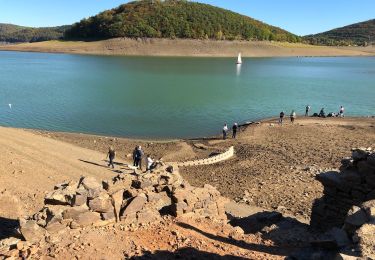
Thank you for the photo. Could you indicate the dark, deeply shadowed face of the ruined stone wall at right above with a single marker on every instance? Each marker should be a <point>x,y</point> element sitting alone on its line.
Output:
<point>354,184</point>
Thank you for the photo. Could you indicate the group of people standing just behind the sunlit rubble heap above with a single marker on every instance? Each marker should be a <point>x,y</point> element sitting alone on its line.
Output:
<point>138,156</point>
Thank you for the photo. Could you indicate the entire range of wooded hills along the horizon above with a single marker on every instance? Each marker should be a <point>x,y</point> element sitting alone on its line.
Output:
<point>180,19</point>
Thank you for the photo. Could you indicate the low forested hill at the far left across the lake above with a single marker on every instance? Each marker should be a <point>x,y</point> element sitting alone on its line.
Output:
<point>14,33</point>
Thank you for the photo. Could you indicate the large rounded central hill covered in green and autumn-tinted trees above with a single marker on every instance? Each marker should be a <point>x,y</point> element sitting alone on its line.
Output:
<point>175,19</point>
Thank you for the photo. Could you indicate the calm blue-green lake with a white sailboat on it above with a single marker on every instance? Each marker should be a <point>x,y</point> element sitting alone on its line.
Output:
<point>158,97</point>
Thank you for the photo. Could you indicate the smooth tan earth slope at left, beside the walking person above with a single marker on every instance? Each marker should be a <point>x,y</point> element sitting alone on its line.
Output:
<point>32,164</point>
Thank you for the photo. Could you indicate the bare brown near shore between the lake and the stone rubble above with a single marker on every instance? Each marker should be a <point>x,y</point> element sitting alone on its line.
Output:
<point>267,158</point>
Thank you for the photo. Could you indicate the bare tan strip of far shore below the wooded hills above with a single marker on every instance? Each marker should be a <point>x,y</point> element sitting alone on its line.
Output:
<point>188,48</point>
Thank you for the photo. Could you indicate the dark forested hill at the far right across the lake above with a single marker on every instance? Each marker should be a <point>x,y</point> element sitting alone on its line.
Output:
<point>356,34</point>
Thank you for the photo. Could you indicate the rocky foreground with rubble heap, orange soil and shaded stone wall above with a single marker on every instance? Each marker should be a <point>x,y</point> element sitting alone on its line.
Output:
<point>138,215</point>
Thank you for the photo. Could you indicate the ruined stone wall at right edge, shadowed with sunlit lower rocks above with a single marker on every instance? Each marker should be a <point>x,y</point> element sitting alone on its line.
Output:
<point>349,202</point>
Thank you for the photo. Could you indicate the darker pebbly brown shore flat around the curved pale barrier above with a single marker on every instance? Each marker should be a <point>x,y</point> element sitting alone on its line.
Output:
<point>275,166</point>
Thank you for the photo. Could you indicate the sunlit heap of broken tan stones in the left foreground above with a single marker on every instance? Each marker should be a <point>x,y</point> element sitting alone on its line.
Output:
<point>138,199</point>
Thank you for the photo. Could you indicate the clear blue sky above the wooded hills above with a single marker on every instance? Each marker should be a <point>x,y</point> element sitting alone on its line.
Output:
<point>297,16</point>
